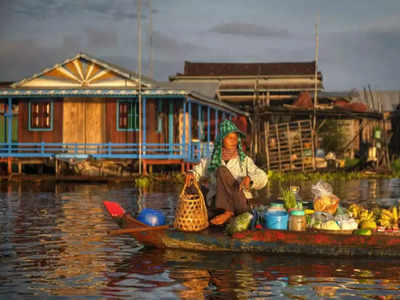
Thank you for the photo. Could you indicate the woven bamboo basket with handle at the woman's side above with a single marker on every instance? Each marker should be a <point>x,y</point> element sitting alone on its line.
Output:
<point>191,212</point>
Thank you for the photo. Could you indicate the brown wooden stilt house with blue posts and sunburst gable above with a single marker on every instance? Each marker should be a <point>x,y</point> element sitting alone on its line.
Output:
<point>86,107</point>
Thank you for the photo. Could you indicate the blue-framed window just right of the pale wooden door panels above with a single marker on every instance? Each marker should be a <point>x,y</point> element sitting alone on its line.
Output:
<point>128,115</point>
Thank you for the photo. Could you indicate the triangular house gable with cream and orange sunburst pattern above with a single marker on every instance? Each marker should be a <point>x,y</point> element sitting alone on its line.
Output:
<point>82,71</point>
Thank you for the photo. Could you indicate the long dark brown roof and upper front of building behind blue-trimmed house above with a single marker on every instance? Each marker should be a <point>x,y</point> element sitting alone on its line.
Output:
<point>249,84</point>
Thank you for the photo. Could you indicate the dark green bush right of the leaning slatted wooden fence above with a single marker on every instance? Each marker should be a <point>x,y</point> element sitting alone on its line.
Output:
<point>333,136</point>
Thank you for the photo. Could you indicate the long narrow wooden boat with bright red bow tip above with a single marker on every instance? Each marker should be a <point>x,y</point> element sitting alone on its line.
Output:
<point>257,241</point>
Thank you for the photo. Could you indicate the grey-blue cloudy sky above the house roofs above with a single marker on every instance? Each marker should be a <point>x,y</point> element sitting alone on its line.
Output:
<point>359,40</point>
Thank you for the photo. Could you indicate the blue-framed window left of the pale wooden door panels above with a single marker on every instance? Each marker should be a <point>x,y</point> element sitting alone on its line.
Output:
<point>41,115</point>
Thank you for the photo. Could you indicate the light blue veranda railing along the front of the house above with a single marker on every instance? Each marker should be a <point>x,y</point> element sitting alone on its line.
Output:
<point>190,152</point>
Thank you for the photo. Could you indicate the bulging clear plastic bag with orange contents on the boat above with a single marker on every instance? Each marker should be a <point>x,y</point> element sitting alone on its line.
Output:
<point>324,200</point>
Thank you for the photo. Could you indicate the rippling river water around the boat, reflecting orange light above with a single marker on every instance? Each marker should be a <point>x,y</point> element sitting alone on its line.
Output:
<point>54,245</point>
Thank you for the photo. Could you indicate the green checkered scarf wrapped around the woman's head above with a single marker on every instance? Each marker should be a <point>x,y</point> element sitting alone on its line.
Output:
<point>225,127</point>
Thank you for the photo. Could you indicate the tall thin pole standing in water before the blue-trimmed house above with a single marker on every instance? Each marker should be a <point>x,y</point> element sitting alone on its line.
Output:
<point>139,82</point>
